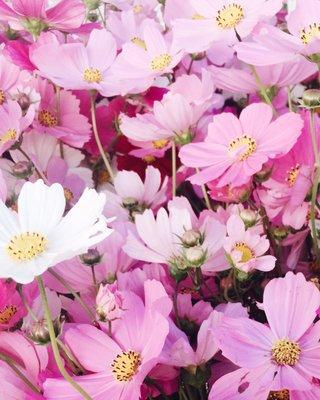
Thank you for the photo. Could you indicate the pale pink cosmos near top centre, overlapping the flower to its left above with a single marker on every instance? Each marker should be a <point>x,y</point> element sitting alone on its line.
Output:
<point>137,66</point>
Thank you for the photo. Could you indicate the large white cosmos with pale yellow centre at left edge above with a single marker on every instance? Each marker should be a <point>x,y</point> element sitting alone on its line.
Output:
<point>39,236</point>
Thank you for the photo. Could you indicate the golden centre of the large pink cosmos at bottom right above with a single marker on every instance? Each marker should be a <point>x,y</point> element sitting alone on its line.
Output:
<point>286,352</point>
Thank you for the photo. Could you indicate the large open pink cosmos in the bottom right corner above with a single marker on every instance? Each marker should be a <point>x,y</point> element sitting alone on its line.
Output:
<point>285,354</point>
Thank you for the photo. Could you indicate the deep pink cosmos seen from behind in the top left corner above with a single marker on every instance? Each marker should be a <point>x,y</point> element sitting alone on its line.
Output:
<point>34,16</point>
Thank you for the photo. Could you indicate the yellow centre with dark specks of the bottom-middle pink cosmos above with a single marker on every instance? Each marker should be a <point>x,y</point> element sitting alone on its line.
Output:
<point>125,365</point>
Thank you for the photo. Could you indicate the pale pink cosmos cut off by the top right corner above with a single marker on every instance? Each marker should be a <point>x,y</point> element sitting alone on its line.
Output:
<point>272,46</point>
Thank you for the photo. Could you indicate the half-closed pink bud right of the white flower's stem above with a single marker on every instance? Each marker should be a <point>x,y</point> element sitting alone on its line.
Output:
<point>109,303</point>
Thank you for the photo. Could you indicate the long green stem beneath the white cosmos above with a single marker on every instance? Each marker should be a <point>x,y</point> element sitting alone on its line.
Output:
<point>54,343</point>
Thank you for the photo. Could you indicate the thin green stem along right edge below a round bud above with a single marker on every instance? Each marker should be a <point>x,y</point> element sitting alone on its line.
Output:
<point>315,186</point>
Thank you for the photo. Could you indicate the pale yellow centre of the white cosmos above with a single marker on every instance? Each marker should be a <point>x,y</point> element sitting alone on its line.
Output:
<point>26,246</point>
